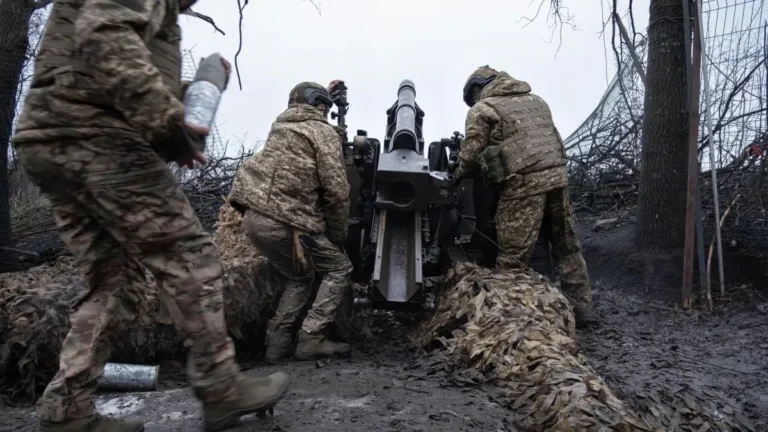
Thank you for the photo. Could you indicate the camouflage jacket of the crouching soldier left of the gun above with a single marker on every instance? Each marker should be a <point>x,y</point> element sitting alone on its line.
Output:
<point>299,177</point>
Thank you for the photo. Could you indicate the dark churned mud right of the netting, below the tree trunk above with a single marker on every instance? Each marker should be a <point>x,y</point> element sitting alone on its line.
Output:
<point>649,349</point>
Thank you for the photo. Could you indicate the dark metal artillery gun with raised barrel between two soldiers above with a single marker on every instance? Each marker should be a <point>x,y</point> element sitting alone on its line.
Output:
<point>408,218</point>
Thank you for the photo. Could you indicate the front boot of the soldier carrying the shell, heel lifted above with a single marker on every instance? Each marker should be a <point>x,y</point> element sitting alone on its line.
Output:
<point>253,395</point>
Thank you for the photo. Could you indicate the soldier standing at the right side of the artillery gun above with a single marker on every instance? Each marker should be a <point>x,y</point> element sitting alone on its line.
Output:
<point>511,139</point>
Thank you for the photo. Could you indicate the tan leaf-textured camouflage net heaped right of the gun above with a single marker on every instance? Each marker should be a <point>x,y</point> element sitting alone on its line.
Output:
<point>517,332</point>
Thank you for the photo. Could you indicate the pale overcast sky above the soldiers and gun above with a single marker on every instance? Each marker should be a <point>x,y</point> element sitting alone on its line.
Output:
<point>375,44</point>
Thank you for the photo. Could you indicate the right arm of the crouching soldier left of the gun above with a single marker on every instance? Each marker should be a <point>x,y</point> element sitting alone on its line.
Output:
<point>334,184</point>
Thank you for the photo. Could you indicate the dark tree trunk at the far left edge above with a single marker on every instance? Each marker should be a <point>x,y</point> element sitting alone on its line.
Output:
<point>15,16</point>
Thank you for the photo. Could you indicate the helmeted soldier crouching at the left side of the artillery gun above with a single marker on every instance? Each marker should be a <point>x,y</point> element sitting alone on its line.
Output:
<point>295,197</point>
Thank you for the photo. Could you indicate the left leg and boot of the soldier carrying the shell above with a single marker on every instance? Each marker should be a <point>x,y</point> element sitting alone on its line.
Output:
<point>115,284</point>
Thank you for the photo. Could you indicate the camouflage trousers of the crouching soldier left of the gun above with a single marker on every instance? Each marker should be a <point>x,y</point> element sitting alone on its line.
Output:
<point>276,241</point>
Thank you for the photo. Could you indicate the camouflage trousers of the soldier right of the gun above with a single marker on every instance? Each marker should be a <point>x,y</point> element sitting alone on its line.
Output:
<point>518,223</point>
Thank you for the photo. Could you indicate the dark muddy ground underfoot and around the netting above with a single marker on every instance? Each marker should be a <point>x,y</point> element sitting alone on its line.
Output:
<point>636,347</point>
